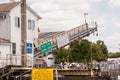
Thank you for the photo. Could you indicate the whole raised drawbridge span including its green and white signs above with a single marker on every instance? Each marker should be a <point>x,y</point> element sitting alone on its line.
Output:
<point>60,39</point>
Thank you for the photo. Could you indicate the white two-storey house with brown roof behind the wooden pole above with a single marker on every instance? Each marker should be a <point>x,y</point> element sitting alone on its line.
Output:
<point>10,33</point>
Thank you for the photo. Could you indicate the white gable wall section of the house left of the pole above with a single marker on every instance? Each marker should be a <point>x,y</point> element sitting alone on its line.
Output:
<point>15,31</point>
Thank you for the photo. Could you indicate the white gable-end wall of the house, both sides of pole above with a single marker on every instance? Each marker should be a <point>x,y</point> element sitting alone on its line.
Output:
<point>16,32</point>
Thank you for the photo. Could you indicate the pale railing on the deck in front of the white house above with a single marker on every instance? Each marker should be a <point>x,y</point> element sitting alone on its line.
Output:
<point>15,59</point>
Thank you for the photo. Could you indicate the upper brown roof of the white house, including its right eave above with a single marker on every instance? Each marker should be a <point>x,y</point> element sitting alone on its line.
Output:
<point>6,7</point>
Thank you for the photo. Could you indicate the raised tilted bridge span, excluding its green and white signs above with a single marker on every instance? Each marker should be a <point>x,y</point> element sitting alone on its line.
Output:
<point>72,35</point>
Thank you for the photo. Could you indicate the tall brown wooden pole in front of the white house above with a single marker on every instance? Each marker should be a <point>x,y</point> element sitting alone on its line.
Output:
<point>23,32</point>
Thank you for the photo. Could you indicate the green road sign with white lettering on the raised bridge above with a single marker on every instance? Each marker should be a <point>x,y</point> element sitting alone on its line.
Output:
<point>45,47</point>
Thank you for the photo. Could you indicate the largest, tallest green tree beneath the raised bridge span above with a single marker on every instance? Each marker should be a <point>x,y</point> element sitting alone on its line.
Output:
<point>80,51</point>
